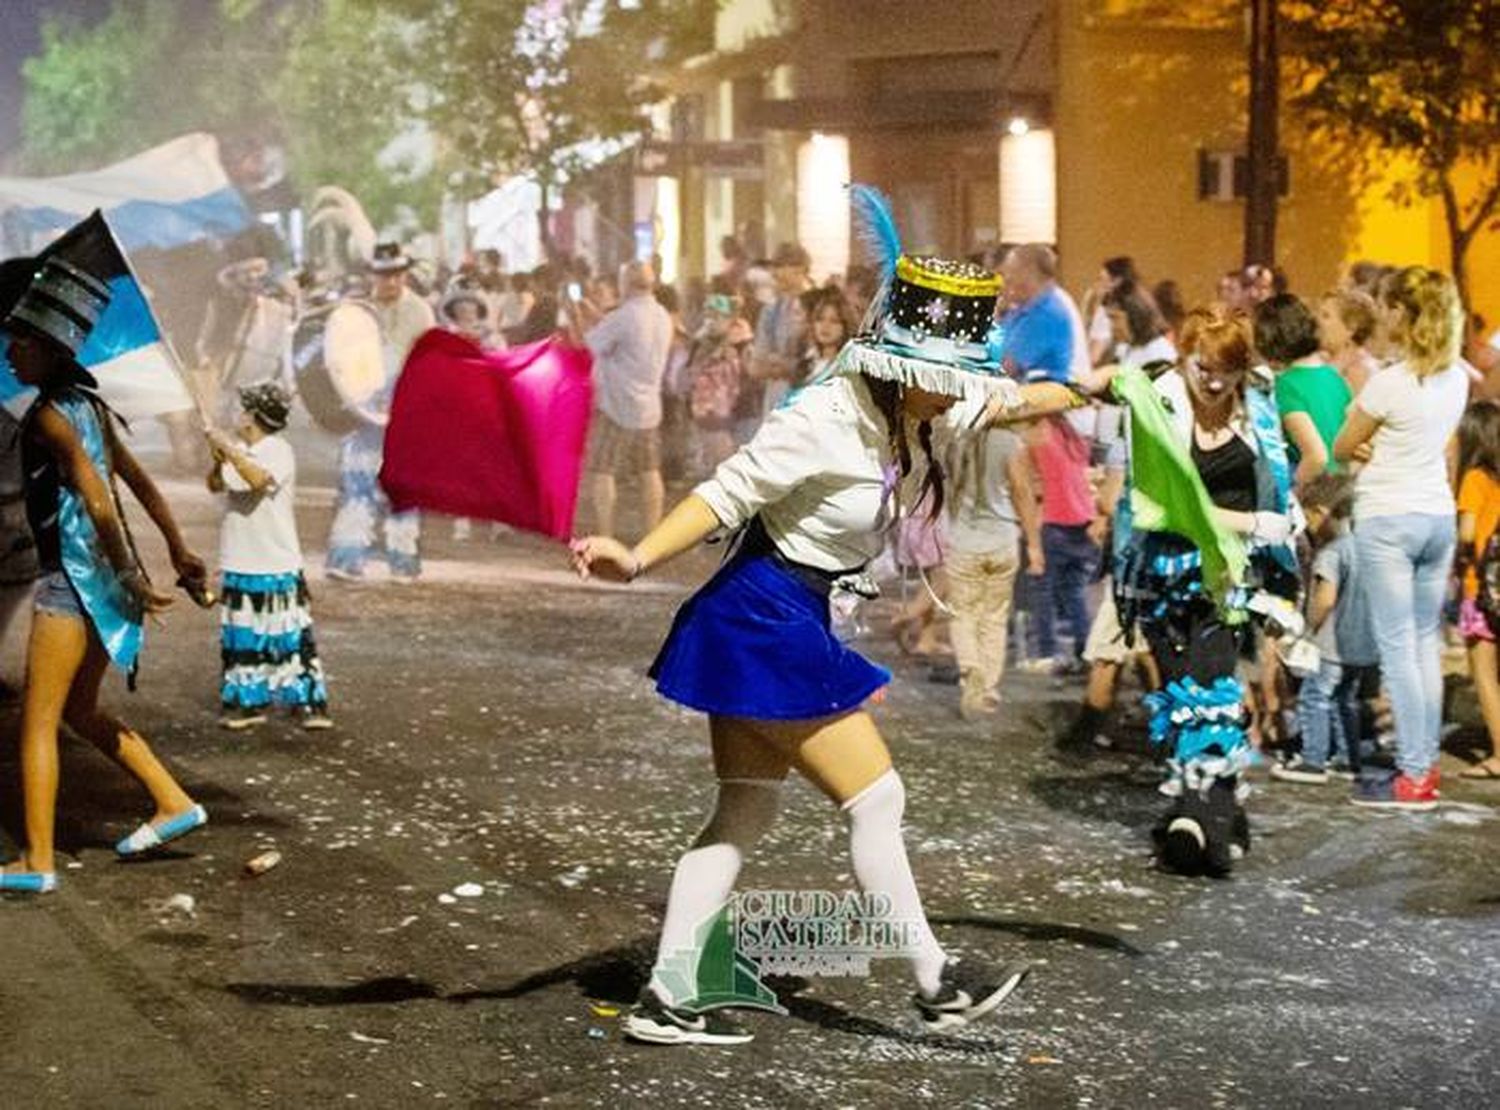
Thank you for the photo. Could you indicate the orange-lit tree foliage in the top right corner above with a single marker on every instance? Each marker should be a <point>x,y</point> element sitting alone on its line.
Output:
<point>1415,79</point>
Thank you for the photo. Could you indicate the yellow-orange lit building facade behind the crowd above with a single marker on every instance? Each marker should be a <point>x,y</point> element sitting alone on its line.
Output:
<point>1106,127</point>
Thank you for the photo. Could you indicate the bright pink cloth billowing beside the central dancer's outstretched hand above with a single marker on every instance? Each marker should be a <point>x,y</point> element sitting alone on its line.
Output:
<point>494,436</point>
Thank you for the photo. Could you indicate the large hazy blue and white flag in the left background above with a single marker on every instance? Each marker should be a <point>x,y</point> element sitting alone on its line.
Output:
<point>164,197</point>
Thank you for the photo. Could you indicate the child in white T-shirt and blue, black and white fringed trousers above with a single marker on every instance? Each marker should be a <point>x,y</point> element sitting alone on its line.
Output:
<point>271,658</point>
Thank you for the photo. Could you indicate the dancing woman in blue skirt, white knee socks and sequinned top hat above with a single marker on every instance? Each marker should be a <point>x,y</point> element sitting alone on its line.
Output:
<point>812,494</point>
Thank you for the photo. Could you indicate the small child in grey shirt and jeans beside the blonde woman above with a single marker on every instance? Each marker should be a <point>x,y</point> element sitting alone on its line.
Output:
<point>1339,626</point>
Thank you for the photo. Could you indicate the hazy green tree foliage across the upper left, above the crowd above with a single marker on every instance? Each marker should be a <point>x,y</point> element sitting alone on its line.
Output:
<point>496,88</point>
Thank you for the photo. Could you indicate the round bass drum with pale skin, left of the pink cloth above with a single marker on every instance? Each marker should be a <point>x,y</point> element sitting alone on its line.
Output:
<point>340,364</point>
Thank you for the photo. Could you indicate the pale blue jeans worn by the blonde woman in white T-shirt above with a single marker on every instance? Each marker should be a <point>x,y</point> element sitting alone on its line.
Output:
<point>1405,565</point>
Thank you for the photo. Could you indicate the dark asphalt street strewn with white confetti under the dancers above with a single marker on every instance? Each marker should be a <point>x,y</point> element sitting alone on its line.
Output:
<point>496,733</point>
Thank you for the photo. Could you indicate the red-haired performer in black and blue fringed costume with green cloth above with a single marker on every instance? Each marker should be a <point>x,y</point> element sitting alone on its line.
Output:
<point>1213,514</point>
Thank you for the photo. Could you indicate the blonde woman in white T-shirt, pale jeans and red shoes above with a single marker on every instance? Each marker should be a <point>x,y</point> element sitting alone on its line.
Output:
<point>1405,517</point>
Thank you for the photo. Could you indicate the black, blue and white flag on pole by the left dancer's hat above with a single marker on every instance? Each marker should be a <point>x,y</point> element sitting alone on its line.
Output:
<point>137,371</point>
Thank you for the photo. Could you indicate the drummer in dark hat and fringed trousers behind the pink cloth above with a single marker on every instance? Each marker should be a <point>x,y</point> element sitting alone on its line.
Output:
<point>362,503</point>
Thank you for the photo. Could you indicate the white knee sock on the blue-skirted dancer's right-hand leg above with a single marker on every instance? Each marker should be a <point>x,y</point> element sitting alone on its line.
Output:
<point>881,866</point>
